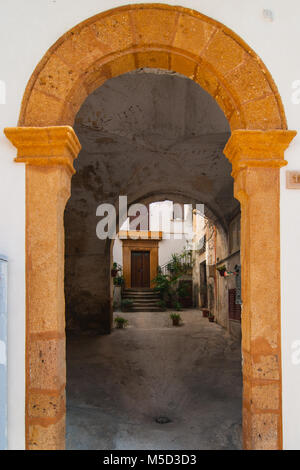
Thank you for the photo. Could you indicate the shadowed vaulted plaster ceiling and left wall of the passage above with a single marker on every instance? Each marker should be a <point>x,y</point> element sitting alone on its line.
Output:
<point>144,134</point>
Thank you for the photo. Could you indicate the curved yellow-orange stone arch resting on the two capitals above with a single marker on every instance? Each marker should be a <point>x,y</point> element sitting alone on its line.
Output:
<point>152,35</point>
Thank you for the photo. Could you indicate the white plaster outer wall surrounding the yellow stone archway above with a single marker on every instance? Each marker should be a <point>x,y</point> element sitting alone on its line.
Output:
<point>27,29</point>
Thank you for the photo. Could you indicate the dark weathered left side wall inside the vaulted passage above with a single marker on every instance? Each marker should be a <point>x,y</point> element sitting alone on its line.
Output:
<point>87,258</point>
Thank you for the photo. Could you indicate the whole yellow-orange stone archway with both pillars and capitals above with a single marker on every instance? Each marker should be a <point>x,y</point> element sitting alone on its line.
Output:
<point>109,44</point>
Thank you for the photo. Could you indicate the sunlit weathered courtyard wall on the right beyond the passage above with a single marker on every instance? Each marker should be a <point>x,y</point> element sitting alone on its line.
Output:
<point>217,272</point>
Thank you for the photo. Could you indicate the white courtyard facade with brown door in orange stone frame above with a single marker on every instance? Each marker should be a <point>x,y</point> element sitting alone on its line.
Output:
<point>166,230</point>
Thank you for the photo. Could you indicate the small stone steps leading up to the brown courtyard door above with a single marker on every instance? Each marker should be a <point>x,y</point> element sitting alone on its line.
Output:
<point>144,300</point>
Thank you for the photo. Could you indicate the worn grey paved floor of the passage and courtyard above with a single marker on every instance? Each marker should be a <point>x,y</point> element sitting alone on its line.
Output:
<point>118,384</point>
